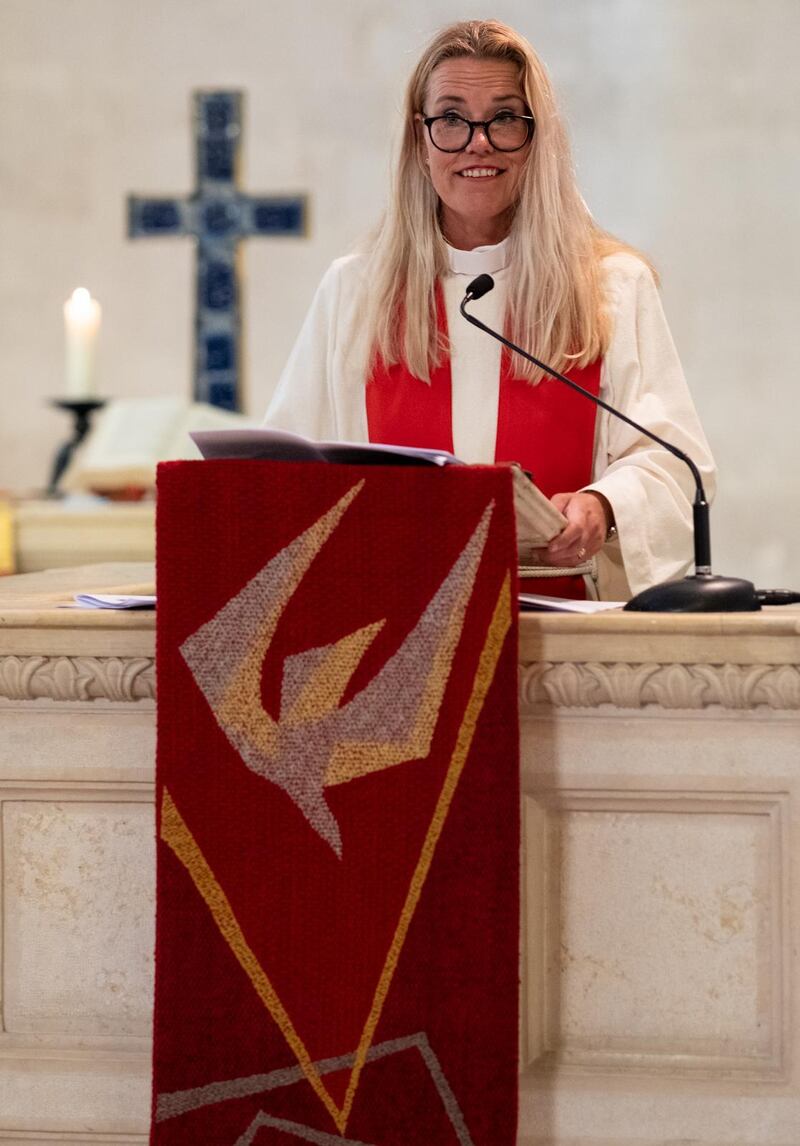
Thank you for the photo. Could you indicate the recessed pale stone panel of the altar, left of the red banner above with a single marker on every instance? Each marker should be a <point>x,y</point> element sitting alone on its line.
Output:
<point>79,917</point>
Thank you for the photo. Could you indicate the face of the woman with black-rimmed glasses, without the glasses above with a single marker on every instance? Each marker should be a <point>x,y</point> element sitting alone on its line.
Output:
<point>479,187</point>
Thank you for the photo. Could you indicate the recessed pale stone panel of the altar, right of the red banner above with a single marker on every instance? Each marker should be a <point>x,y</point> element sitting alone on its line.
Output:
<point>663,941</point>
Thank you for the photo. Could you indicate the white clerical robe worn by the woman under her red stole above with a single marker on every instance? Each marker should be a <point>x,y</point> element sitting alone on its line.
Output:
<point>321,395</point>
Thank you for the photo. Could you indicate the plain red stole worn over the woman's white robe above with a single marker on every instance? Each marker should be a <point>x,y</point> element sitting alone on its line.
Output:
<point>548,429</point>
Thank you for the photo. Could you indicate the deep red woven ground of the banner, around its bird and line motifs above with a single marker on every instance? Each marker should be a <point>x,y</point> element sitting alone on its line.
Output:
<point>319,925</point>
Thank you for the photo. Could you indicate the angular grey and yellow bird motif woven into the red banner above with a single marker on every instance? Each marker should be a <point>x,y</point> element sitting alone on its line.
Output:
<point>318,741</point>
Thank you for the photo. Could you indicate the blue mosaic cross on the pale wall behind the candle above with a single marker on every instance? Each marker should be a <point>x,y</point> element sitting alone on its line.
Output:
<point>218,216</point>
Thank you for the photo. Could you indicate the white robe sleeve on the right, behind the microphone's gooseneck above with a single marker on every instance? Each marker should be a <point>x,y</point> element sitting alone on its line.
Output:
<point>652,491</point>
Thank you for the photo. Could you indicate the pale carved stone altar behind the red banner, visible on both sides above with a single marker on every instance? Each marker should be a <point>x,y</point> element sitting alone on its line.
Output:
<point>662,876</point>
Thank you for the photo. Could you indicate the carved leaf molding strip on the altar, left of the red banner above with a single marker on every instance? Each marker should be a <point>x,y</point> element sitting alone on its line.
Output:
<point>77,678</point>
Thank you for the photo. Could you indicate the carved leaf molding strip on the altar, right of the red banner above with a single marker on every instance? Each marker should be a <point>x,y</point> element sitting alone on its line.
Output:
<point>624,686</point>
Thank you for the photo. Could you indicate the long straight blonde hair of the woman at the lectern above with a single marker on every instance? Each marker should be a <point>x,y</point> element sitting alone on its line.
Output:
<point>555,302</point>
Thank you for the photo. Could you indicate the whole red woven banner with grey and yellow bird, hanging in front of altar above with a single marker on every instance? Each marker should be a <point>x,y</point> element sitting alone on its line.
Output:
<point>339,806</point>
